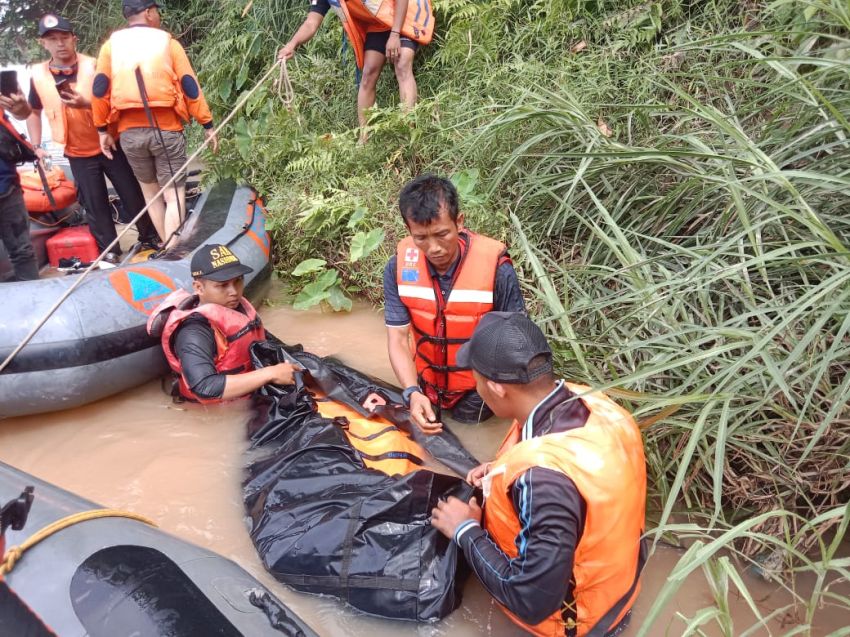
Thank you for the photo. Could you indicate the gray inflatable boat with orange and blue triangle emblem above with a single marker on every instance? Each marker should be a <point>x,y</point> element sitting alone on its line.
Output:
<point>95,345</point>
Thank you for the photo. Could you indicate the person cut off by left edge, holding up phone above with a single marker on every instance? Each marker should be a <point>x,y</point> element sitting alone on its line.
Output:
<point>14,150</point>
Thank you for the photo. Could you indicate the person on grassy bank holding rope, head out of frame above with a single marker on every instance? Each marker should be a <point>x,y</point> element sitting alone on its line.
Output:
<point>391,32</point>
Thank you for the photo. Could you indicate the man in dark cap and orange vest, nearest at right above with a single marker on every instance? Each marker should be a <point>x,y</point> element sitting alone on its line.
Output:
<point>559,547</point>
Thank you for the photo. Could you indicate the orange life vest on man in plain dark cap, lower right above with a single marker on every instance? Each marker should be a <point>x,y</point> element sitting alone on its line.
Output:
<point>605,460</point>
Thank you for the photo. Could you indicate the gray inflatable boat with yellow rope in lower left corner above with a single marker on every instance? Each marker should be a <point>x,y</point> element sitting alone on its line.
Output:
<point>115,576</point>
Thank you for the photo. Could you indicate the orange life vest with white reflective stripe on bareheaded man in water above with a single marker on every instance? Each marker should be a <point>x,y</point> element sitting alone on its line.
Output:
<point>441,326</point>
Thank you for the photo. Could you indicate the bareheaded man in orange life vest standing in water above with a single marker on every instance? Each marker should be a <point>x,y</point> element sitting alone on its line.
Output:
<point>440,283</point>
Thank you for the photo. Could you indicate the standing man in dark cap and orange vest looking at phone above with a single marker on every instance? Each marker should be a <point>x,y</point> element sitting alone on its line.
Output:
<point>62,87</point>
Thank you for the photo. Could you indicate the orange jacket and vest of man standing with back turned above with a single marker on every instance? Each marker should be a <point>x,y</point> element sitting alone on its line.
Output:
<point>165,71</point>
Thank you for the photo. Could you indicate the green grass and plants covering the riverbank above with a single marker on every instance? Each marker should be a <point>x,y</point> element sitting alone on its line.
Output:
<point>673,178</point>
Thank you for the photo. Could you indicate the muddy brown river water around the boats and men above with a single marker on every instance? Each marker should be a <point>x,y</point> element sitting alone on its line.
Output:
<point>182,467</point>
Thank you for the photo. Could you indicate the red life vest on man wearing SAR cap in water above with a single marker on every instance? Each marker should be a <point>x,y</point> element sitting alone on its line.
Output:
<point>234,332</point>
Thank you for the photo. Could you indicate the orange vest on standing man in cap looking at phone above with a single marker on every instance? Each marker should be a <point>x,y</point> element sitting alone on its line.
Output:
<point>70,127</point>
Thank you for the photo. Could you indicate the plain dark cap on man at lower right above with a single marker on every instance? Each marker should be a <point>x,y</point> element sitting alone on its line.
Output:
<point>503,347</point>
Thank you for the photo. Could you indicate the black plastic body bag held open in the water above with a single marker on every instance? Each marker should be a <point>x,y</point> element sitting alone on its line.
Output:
<point>323,522</point>
